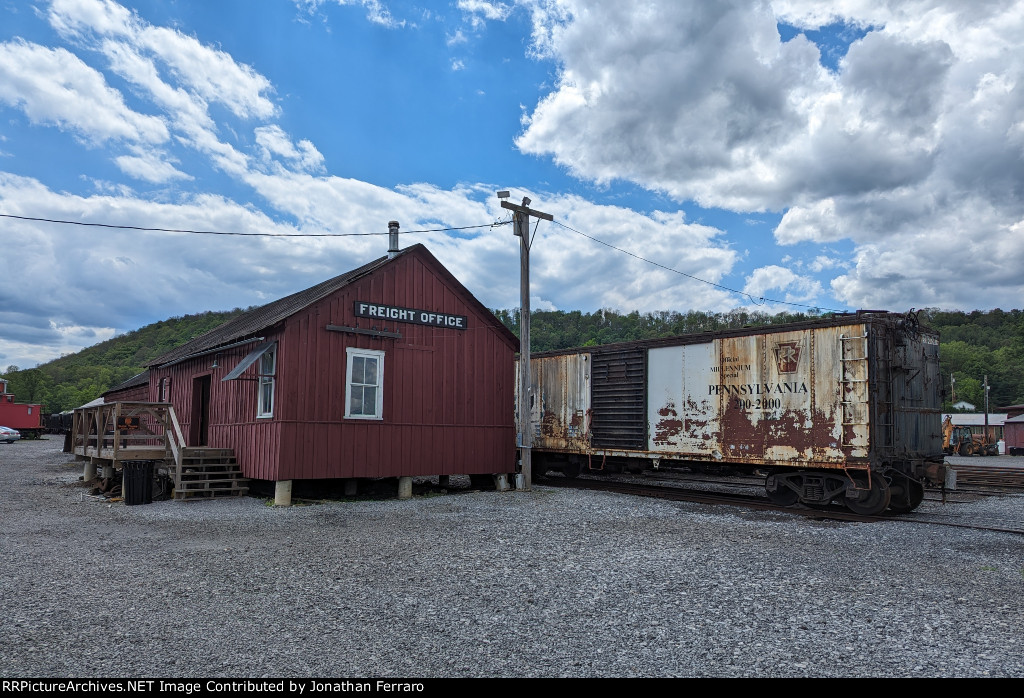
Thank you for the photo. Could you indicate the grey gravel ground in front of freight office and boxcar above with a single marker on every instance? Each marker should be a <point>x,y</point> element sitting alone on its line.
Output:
<point>546,584</point>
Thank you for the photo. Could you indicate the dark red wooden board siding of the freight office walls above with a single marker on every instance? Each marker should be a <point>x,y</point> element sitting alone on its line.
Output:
<point>448,395</point>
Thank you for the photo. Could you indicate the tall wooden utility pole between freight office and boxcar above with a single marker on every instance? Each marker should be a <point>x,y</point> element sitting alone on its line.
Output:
<point>521,219</point>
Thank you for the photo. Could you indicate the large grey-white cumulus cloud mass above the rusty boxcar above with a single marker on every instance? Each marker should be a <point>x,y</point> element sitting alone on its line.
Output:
<point>912,144</point>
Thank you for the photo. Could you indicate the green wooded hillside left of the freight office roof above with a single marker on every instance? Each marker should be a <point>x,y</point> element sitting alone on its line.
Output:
<point>76,379</point>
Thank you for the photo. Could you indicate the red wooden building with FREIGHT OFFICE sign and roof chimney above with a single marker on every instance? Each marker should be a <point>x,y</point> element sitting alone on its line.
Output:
<point>393,370</point>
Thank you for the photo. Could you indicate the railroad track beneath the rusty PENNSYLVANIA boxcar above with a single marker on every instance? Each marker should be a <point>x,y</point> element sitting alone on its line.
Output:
<point>675,493</point>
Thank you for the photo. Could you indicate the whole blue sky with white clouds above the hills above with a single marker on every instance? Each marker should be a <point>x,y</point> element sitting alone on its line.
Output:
<point>794,155</point>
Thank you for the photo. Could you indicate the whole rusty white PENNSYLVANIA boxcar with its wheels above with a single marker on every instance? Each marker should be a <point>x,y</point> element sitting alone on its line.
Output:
<point>844,409</point>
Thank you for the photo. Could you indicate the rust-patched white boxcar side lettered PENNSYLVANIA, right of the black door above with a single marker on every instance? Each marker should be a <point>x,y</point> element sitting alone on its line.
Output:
<point>762,399</point>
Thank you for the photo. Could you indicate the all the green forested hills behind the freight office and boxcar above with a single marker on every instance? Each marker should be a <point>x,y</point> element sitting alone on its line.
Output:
<point>973,345</point>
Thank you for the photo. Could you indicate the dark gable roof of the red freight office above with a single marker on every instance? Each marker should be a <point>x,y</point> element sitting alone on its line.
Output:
<point>250,324</point>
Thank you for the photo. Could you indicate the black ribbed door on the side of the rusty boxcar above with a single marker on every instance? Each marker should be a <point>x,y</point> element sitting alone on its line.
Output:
<point>619,390</point>
